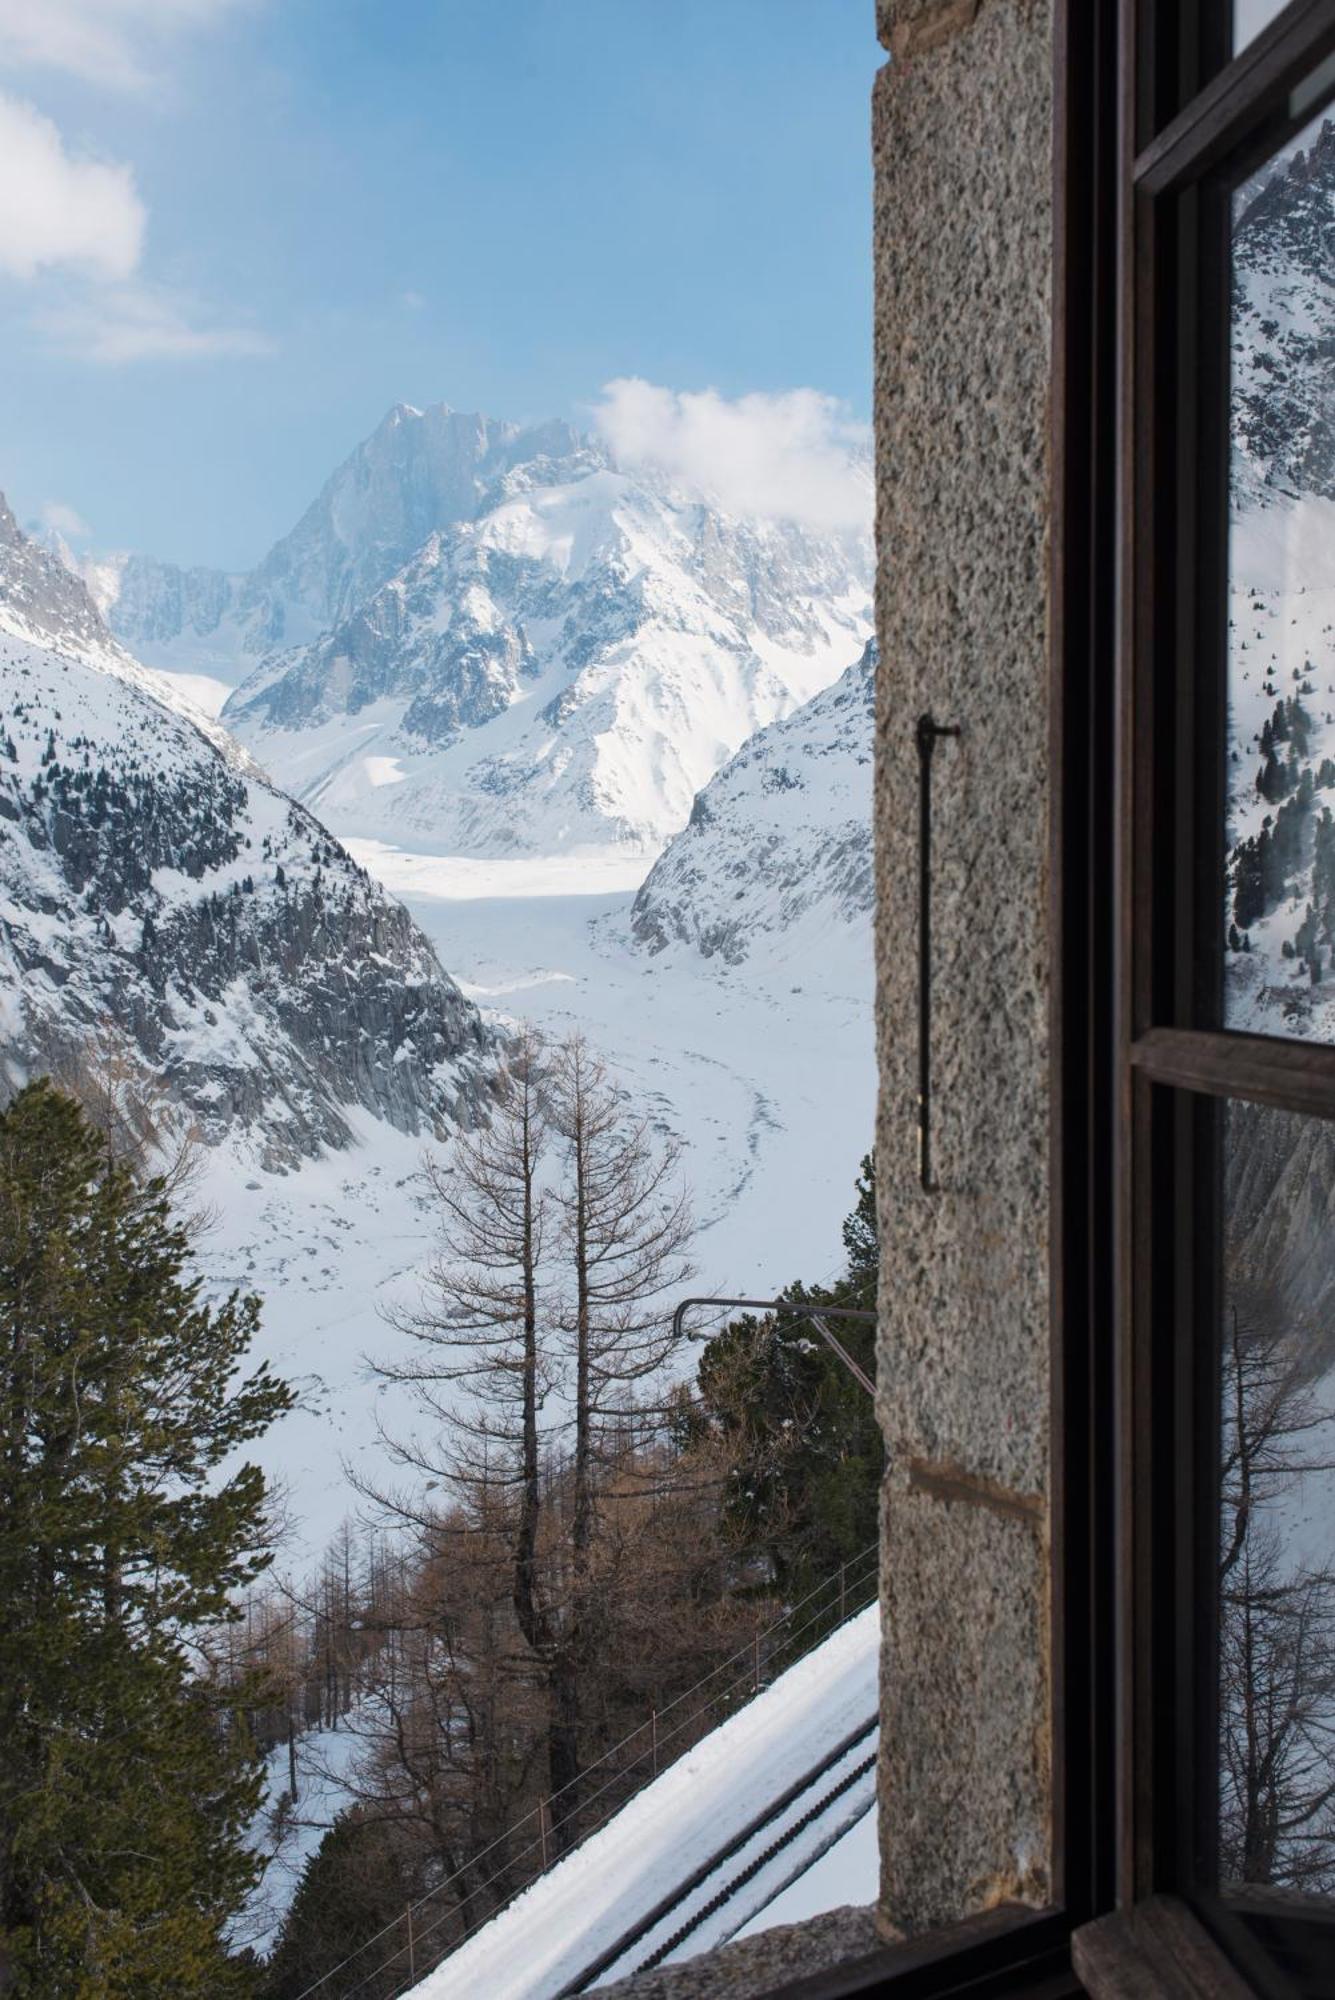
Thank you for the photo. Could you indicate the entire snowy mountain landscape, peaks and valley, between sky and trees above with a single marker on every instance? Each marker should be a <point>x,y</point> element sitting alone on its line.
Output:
<point>589,759</point>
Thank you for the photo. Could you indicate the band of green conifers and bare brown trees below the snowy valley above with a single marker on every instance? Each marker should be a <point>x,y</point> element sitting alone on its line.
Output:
<point>577,1565</point>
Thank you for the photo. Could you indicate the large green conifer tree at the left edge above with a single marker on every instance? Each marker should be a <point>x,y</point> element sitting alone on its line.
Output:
<point>125,1783</point>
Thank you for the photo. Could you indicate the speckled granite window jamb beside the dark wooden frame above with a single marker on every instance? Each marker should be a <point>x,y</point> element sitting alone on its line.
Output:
<point>962,135</point>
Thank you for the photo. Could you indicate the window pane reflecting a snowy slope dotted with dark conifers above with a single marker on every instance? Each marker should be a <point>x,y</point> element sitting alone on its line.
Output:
<point>1280,913</point>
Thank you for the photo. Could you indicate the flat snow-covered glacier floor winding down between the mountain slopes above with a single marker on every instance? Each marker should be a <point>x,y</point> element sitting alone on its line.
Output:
<point>768,1081</point>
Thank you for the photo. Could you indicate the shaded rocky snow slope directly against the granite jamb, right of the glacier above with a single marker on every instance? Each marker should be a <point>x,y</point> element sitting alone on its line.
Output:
<point>778,847</point>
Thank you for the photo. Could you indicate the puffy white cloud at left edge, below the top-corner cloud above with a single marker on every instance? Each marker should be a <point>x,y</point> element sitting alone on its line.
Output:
<point>63,211</point>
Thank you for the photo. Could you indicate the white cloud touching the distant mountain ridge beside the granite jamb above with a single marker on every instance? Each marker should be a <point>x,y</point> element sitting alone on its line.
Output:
<point>790,457</point>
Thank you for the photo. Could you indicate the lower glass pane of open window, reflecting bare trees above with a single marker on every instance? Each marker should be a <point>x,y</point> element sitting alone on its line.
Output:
<point>1276,1557</point>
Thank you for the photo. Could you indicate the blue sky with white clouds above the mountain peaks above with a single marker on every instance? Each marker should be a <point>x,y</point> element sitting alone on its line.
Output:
<point>243,229</point>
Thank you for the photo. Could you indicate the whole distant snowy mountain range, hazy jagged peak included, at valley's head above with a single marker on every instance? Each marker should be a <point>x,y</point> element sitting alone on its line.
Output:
<point>491,641</point>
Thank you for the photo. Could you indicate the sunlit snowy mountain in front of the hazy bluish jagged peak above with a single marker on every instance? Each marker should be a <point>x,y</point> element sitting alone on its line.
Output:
<point>561,675</point>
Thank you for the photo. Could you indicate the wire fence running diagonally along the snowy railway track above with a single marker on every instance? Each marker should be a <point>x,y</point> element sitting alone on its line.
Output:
<point>413,1945</point>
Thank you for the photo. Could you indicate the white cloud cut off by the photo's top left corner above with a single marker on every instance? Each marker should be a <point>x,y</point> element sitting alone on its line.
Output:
<point>101,41</point>
